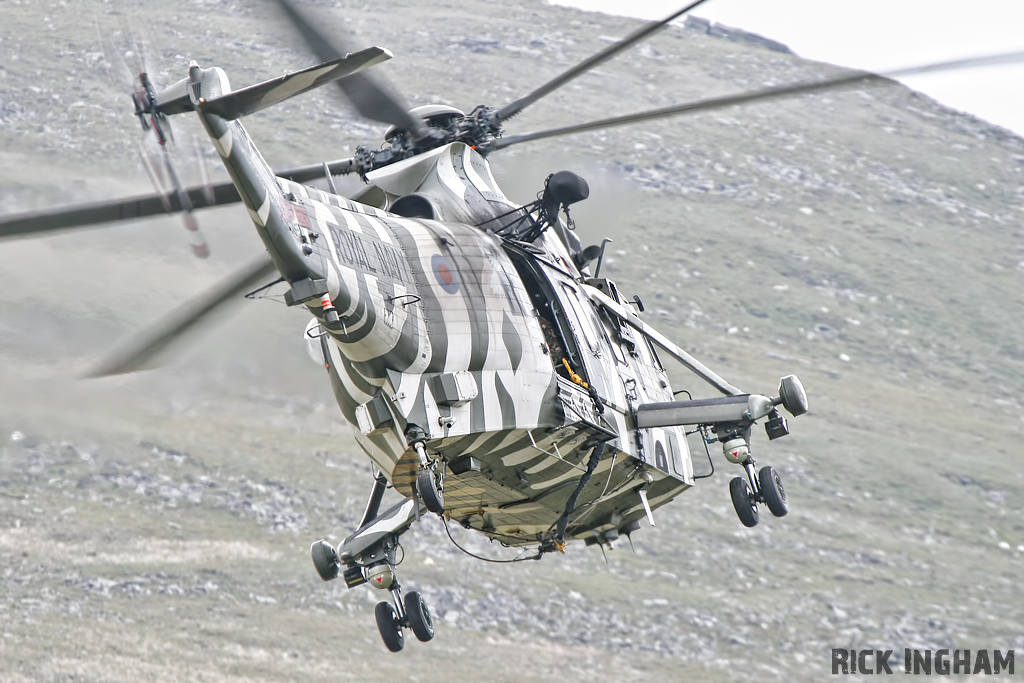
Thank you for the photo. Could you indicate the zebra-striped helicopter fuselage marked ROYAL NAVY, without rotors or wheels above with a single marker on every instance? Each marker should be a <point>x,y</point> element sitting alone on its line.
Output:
<point>483,345</point>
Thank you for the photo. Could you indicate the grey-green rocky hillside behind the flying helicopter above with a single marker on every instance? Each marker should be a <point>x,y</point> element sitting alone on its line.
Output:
<point>158,526</point>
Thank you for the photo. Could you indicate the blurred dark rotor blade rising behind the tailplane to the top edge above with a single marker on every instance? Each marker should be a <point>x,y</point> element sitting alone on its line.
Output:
<point>369,97</point>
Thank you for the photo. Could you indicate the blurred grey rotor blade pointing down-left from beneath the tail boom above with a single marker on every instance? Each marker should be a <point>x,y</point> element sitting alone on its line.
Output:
<point>141,352</point>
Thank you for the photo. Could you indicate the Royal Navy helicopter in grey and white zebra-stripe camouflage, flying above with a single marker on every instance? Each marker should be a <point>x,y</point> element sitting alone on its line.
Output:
<point>489,371</point>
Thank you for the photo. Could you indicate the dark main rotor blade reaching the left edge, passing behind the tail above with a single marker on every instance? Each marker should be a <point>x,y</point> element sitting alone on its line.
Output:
<point>200,197</point>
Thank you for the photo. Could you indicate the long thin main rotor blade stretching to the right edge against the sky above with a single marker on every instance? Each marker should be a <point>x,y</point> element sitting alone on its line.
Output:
<point>850,78</point>
